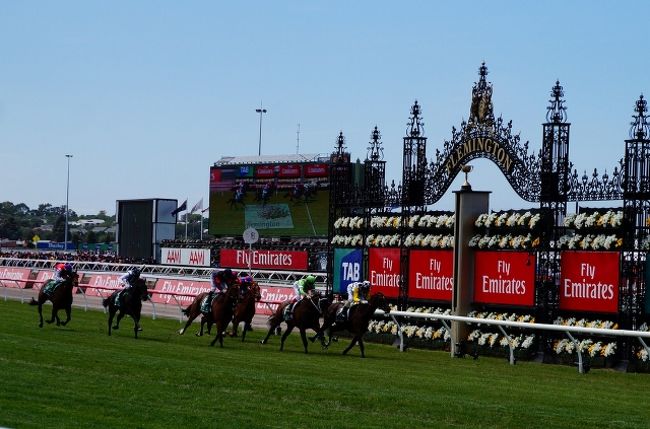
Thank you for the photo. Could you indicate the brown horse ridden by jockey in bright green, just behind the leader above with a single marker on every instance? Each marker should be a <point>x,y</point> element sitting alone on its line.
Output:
<point>306,315</point>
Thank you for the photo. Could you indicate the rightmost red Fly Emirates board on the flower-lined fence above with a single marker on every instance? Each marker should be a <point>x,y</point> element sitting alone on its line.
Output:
<point>589,281</point>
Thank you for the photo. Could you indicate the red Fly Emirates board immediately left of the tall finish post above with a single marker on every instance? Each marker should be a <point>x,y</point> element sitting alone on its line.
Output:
<point>431,274</point>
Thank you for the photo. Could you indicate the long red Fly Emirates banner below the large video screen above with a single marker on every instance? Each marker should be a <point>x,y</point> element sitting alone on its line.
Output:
<point>264,259</point>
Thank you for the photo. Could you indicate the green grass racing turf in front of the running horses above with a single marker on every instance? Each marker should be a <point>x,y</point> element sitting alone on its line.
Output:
<point>77,376</point>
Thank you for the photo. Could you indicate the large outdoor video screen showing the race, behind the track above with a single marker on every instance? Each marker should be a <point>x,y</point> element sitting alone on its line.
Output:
<point>276,199</point>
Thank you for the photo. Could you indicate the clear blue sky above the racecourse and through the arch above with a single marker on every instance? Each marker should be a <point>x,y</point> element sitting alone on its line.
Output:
<point>146,95</point>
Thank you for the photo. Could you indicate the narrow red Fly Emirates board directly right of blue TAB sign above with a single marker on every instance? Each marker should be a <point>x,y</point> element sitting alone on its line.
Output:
<point>384,271</point>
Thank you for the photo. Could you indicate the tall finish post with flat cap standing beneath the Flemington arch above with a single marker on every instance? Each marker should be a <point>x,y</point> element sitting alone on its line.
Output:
<point>469,205</point>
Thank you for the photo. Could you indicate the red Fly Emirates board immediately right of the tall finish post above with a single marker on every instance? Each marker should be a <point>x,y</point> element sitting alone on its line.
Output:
<point>504,278</point>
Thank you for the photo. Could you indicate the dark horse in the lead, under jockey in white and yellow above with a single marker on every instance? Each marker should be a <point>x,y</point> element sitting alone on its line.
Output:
<point>356,323</point>
